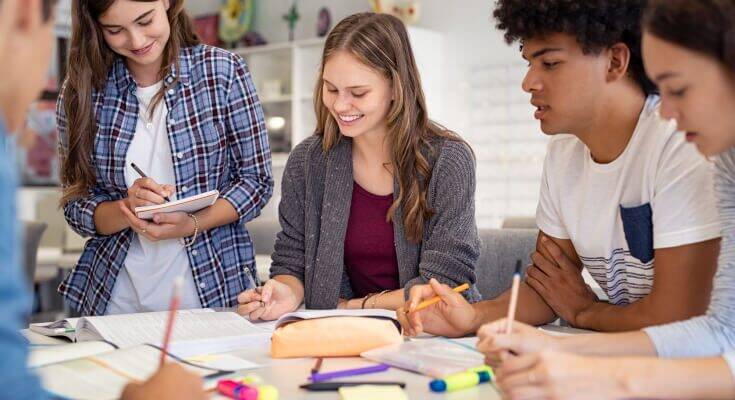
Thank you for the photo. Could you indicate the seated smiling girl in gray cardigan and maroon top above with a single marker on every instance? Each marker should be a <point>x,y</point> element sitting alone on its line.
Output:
<point>380,198</point>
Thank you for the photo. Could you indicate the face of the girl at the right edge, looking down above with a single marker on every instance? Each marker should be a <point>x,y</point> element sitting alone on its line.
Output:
<point>696,90</point>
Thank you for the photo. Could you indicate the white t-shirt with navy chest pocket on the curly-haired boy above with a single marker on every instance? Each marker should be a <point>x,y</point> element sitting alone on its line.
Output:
<point>656,194</point>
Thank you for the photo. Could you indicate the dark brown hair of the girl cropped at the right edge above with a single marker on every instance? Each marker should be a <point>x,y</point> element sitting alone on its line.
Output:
<point>703,26</point>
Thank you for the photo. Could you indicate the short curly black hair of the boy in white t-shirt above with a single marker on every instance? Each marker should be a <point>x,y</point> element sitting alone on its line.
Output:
<point>596,24</point>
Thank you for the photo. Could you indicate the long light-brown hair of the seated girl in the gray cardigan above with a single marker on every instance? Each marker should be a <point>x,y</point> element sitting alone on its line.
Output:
<point>380,41</point>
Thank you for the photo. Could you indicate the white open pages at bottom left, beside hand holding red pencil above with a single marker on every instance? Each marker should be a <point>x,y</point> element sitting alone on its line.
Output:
<point>104,376</point>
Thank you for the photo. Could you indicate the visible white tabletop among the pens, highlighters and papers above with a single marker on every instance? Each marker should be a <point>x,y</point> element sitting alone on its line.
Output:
<point>288,374</point>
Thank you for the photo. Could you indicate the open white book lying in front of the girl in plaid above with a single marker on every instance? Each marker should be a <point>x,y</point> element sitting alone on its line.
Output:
<point>200,331</point>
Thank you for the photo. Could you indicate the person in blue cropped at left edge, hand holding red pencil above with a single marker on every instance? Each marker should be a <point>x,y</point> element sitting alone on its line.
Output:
<point>26,38</point>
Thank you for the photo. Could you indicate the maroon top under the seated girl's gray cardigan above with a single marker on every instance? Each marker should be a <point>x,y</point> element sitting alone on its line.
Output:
<point>370,251</point>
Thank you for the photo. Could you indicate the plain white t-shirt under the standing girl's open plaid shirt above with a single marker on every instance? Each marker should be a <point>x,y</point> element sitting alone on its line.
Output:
<point>146,281</point>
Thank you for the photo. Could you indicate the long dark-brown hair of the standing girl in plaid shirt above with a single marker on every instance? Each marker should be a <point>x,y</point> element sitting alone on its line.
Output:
<point>90,60</point>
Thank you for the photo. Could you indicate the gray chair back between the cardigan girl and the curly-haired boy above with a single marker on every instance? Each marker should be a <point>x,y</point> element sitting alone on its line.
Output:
<point>501,248</point>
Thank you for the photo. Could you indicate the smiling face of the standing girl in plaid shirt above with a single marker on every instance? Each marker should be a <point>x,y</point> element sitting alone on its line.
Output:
<point>137,30</point>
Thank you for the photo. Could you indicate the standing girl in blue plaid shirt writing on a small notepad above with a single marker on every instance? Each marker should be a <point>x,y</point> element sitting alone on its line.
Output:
<point>141,89</point>
